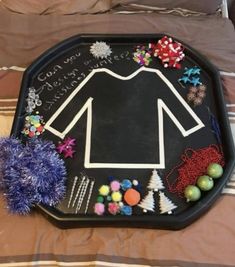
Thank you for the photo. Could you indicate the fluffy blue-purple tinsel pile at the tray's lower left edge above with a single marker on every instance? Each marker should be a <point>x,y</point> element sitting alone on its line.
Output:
<point>31,174</point>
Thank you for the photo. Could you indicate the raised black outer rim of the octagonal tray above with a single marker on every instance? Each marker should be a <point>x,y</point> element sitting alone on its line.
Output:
<point>173,222</point>
